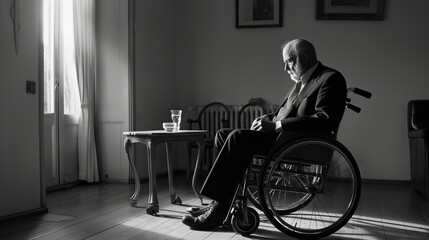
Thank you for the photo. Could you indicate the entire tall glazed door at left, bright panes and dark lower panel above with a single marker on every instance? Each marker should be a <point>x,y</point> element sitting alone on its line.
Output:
<point>61,94</point>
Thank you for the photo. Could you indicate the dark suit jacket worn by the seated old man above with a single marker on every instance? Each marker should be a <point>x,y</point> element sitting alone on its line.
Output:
<point>320,105</point>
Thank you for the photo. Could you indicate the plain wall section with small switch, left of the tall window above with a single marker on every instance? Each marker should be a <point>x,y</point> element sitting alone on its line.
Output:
<point>20,181</point>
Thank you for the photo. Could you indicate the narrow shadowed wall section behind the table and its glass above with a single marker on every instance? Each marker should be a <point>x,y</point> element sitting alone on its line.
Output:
<point>154,87</point>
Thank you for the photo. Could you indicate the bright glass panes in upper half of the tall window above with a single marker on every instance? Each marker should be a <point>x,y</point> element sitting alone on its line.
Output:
<point>59,58</point>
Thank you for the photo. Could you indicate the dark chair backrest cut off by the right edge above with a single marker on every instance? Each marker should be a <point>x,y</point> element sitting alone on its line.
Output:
<point>418,114</point>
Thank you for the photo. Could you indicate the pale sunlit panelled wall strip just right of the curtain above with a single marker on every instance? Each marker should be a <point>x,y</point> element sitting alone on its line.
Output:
<point>113,112</point>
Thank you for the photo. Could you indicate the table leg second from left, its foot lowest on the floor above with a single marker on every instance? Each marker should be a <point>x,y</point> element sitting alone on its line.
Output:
<point>153,204</point>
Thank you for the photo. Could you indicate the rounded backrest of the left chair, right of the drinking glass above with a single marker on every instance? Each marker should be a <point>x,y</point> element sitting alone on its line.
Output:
<point>213,117</point>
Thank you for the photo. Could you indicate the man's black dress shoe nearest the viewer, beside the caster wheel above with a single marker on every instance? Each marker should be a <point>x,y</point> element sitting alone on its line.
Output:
<point>210,220</point>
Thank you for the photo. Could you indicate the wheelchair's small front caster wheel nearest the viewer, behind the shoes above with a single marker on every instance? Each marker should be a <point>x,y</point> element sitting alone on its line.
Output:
<point>242,227</point>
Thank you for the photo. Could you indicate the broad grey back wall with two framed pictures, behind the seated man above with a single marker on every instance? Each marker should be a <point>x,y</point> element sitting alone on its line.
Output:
<point>216,61</point>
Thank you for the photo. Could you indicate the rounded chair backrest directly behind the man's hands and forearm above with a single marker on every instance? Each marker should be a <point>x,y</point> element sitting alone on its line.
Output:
<point>249,112</point>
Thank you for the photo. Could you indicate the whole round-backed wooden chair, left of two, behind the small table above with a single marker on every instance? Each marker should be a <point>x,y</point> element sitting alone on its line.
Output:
<point>211,117</point>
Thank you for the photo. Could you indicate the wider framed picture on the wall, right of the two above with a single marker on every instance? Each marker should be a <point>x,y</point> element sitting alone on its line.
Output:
<point>350,10</point>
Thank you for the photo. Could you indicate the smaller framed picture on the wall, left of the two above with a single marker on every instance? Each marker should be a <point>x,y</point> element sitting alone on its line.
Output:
<point>258,13</point>
